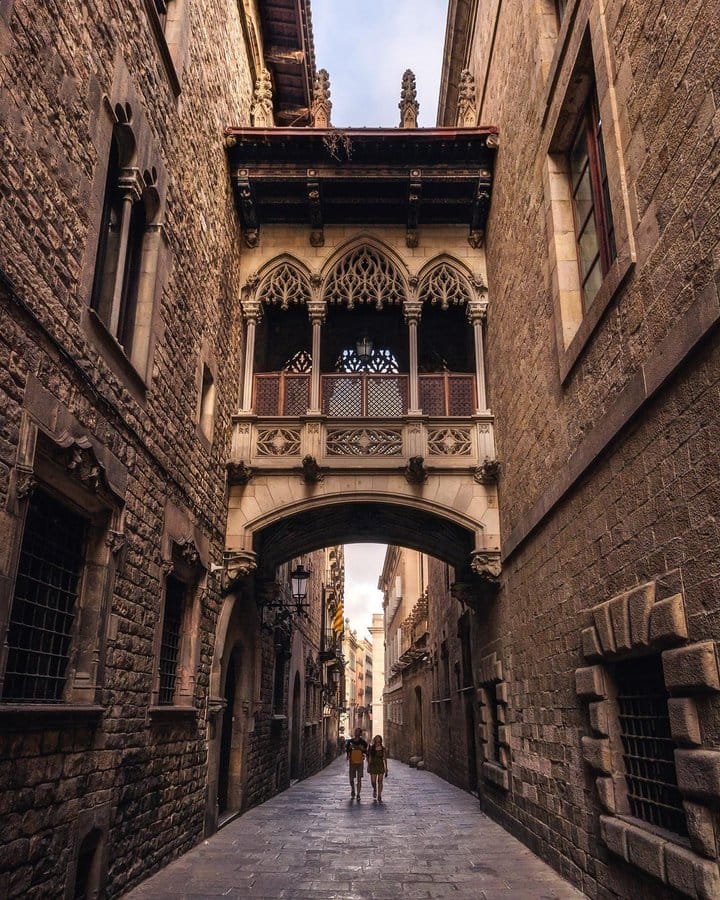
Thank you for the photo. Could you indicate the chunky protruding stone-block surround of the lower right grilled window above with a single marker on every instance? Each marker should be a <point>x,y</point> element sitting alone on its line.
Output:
<point>628,625</point>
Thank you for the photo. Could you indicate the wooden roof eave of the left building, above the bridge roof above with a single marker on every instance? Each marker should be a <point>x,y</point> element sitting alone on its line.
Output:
<point>290,56</point>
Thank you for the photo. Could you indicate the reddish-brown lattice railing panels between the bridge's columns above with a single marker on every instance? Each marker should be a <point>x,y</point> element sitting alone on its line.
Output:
<point>365,396</point>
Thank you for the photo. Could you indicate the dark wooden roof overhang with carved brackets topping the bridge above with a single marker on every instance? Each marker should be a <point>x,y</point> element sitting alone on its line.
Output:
<point>364,176</point>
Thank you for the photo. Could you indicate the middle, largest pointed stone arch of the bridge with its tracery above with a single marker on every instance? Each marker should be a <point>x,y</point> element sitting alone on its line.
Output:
<point>364,270</point>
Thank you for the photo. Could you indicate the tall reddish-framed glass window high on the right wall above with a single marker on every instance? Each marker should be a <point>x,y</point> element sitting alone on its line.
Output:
<point>594,231</point>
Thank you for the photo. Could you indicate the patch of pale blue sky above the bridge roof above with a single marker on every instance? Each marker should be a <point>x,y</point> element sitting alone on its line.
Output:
<point>366,45</point>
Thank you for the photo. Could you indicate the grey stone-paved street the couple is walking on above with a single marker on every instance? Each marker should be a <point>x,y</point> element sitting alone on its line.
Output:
<point>426,839</point>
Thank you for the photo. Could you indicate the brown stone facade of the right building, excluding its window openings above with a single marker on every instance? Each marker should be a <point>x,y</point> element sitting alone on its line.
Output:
<point>606,431</point>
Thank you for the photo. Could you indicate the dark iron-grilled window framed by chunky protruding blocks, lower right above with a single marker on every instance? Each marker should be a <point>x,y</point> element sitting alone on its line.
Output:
<point>648,748</point>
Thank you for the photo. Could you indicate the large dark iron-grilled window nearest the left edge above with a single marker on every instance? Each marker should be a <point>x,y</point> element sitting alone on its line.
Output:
<point>44,603</point>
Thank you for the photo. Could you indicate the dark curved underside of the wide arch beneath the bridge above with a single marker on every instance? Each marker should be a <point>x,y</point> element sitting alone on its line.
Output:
<point>363,522</point>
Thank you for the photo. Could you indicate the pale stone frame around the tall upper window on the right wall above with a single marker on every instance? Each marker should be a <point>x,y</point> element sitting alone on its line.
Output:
<point>581,67</point>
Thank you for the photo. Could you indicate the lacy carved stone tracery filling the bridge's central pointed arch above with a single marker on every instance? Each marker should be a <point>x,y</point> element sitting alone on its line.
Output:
<point>364,276</point>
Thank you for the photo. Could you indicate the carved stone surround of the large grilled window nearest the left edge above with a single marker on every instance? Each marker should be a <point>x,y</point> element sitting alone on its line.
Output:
<point>73,470</point>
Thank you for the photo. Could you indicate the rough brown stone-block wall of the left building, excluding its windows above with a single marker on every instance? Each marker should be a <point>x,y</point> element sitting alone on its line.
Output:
<point>139,779</point>
